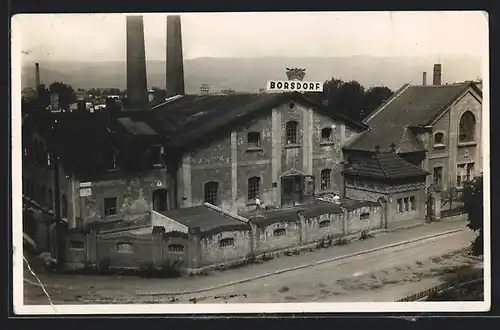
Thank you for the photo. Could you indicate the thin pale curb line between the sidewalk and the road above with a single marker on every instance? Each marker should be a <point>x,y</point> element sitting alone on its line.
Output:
<point>281,271</point>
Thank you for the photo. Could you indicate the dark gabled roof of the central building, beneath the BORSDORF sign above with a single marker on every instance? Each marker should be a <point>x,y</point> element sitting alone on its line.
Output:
<point>192,118</point>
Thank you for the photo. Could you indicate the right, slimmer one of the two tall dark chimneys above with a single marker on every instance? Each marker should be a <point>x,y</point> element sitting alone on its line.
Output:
<point>175,60</point>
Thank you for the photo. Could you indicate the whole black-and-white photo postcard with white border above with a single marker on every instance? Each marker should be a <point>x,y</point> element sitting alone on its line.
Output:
<point>250,162</point>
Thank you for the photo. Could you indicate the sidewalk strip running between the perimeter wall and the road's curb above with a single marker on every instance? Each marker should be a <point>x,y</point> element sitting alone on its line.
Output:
<point>124,284</point>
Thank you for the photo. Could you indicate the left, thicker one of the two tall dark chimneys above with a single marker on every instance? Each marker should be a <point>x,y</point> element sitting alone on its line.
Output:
<point>137,85</point>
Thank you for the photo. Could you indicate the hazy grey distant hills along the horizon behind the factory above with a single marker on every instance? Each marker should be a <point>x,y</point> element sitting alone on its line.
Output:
<point>250,74</point>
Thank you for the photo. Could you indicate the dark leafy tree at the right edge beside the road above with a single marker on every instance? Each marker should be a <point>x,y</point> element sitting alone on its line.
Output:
<point>473,204</point>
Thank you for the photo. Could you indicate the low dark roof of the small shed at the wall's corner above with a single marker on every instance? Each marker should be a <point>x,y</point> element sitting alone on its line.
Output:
<point>207,219</point>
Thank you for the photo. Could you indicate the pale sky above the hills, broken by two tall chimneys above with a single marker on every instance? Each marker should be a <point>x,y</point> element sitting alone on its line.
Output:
<point>101,37</point>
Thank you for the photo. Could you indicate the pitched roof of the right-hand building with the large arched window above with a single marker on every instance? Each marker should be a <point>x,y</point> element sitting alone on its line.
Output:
<point>410,106</point>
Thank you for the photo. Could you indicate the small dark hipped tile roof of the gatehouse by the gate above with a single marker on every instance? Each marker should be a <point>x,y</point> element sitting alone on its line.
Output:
<point>385,166</point>
